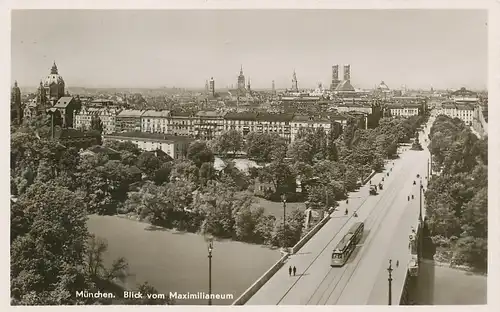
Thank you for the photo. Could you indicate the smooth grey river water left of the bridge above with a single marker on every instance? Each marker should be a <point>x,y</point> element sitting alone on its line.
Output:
<point>178,262</point>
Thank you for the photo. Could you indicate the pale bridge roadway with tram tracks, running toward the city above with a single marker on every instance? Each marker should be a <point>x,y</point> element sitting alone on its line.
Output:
<point>390,222</point>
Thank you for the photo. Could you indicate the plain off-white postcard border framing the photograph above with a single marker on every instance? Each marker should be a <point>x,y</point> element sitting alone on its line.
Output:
<point>494,96</point>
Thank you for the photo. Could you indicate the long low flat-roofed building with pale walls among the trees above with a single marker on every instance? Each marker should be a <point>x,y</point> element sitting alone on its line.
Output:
<point>174,146</point>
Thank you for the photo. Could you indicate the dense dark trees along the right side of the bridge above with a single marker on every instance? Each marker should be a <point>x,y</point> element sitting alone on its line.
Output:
<point>457,196</point>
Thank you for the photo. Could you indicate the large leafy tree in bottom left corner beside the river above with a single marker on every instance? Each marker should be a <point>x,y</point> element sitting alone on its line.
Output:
<point>48,246</point>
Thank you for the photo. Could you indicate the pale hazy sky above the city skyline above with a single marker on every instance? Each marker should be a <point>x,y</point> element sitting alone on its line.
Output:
<point>184,48</point>
